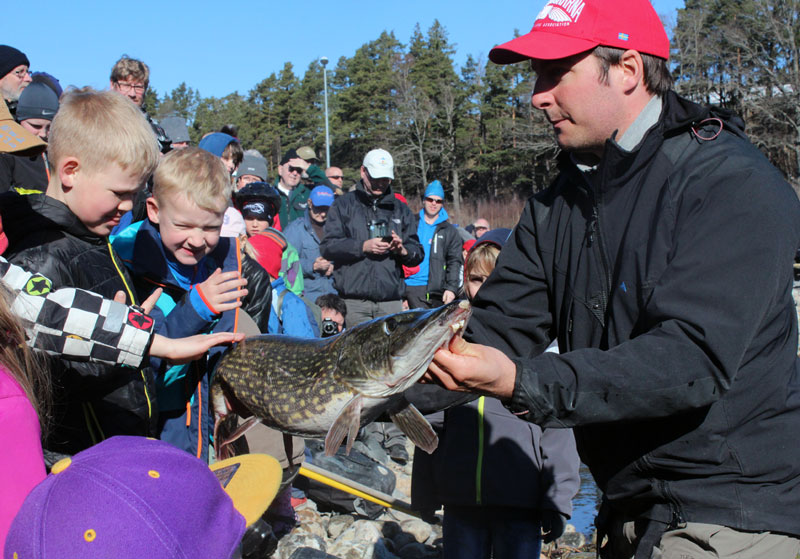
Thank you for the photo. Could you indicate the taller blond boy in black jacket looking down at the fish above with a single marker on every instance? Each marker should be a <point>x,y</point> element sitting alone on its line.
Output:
<point>101,151</point>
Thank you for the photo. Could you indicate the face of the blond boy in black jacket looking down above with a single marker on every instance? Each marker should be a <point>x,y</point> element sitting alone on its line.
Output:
<point>98,198</point>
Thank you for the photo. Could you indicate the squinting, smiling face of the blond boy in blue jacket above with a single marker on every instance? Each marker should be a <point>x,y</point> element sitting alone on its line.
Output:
<point>188,232</point>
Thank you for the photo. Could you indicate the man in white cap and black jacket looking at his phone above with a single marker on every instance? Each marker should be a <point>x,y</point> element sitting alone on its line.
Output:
<point>369,236</point>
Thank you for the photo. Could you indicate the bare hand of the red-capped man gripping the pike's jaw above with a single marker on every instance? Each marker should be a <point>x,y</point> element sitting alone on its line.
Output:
<point>467,367</point>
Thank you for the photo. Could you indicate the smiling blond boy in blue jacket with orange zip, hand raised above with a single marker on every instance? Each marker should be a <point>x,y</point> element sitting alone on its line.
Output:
<point>179,249</point>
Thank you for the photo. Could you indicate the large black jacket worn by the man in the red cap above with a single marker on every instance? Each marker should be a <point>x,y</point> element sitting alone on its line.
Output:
<point>668,284</point>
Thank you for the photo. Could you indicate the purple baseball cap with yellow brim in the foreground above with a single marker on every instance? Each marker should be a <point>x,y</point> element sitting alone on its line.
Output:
<point>132,497</point>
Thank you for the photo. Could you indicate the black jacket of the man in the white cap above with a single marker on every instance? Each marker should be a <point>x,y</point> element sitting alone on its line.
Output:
<point>367,276</point>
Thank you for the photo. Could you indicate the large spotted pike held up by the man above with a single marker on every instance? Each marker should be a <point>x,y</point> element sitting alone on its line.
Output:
<point>330,387</point>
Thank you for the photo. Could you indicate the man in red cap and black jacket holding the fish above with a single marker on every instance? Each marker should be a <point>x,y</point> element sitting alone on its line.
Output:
<point>661,260</point>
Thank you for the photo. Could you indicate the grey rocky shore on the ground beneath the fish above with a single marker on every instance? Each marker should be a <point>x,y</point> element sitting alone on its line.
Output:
<point>393,535</point>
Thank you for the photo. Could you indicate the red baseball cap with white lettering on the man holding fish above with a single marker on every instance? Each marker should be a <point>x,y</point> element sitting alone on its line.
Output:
<point>567,27</point>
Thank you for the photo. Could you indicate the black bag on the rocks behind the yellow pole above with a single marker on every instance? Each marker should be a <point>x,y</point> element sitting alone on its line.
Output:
<point>356,467</point>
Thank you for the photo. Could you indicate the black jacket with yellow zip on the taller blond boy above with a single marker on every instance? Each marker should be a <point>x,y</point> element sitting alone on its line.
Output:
<point>92,401</point>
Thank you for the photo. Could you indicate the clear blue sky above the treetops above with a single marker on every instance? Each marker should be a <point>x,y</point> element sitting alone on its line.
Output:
<point>222,47</point>
